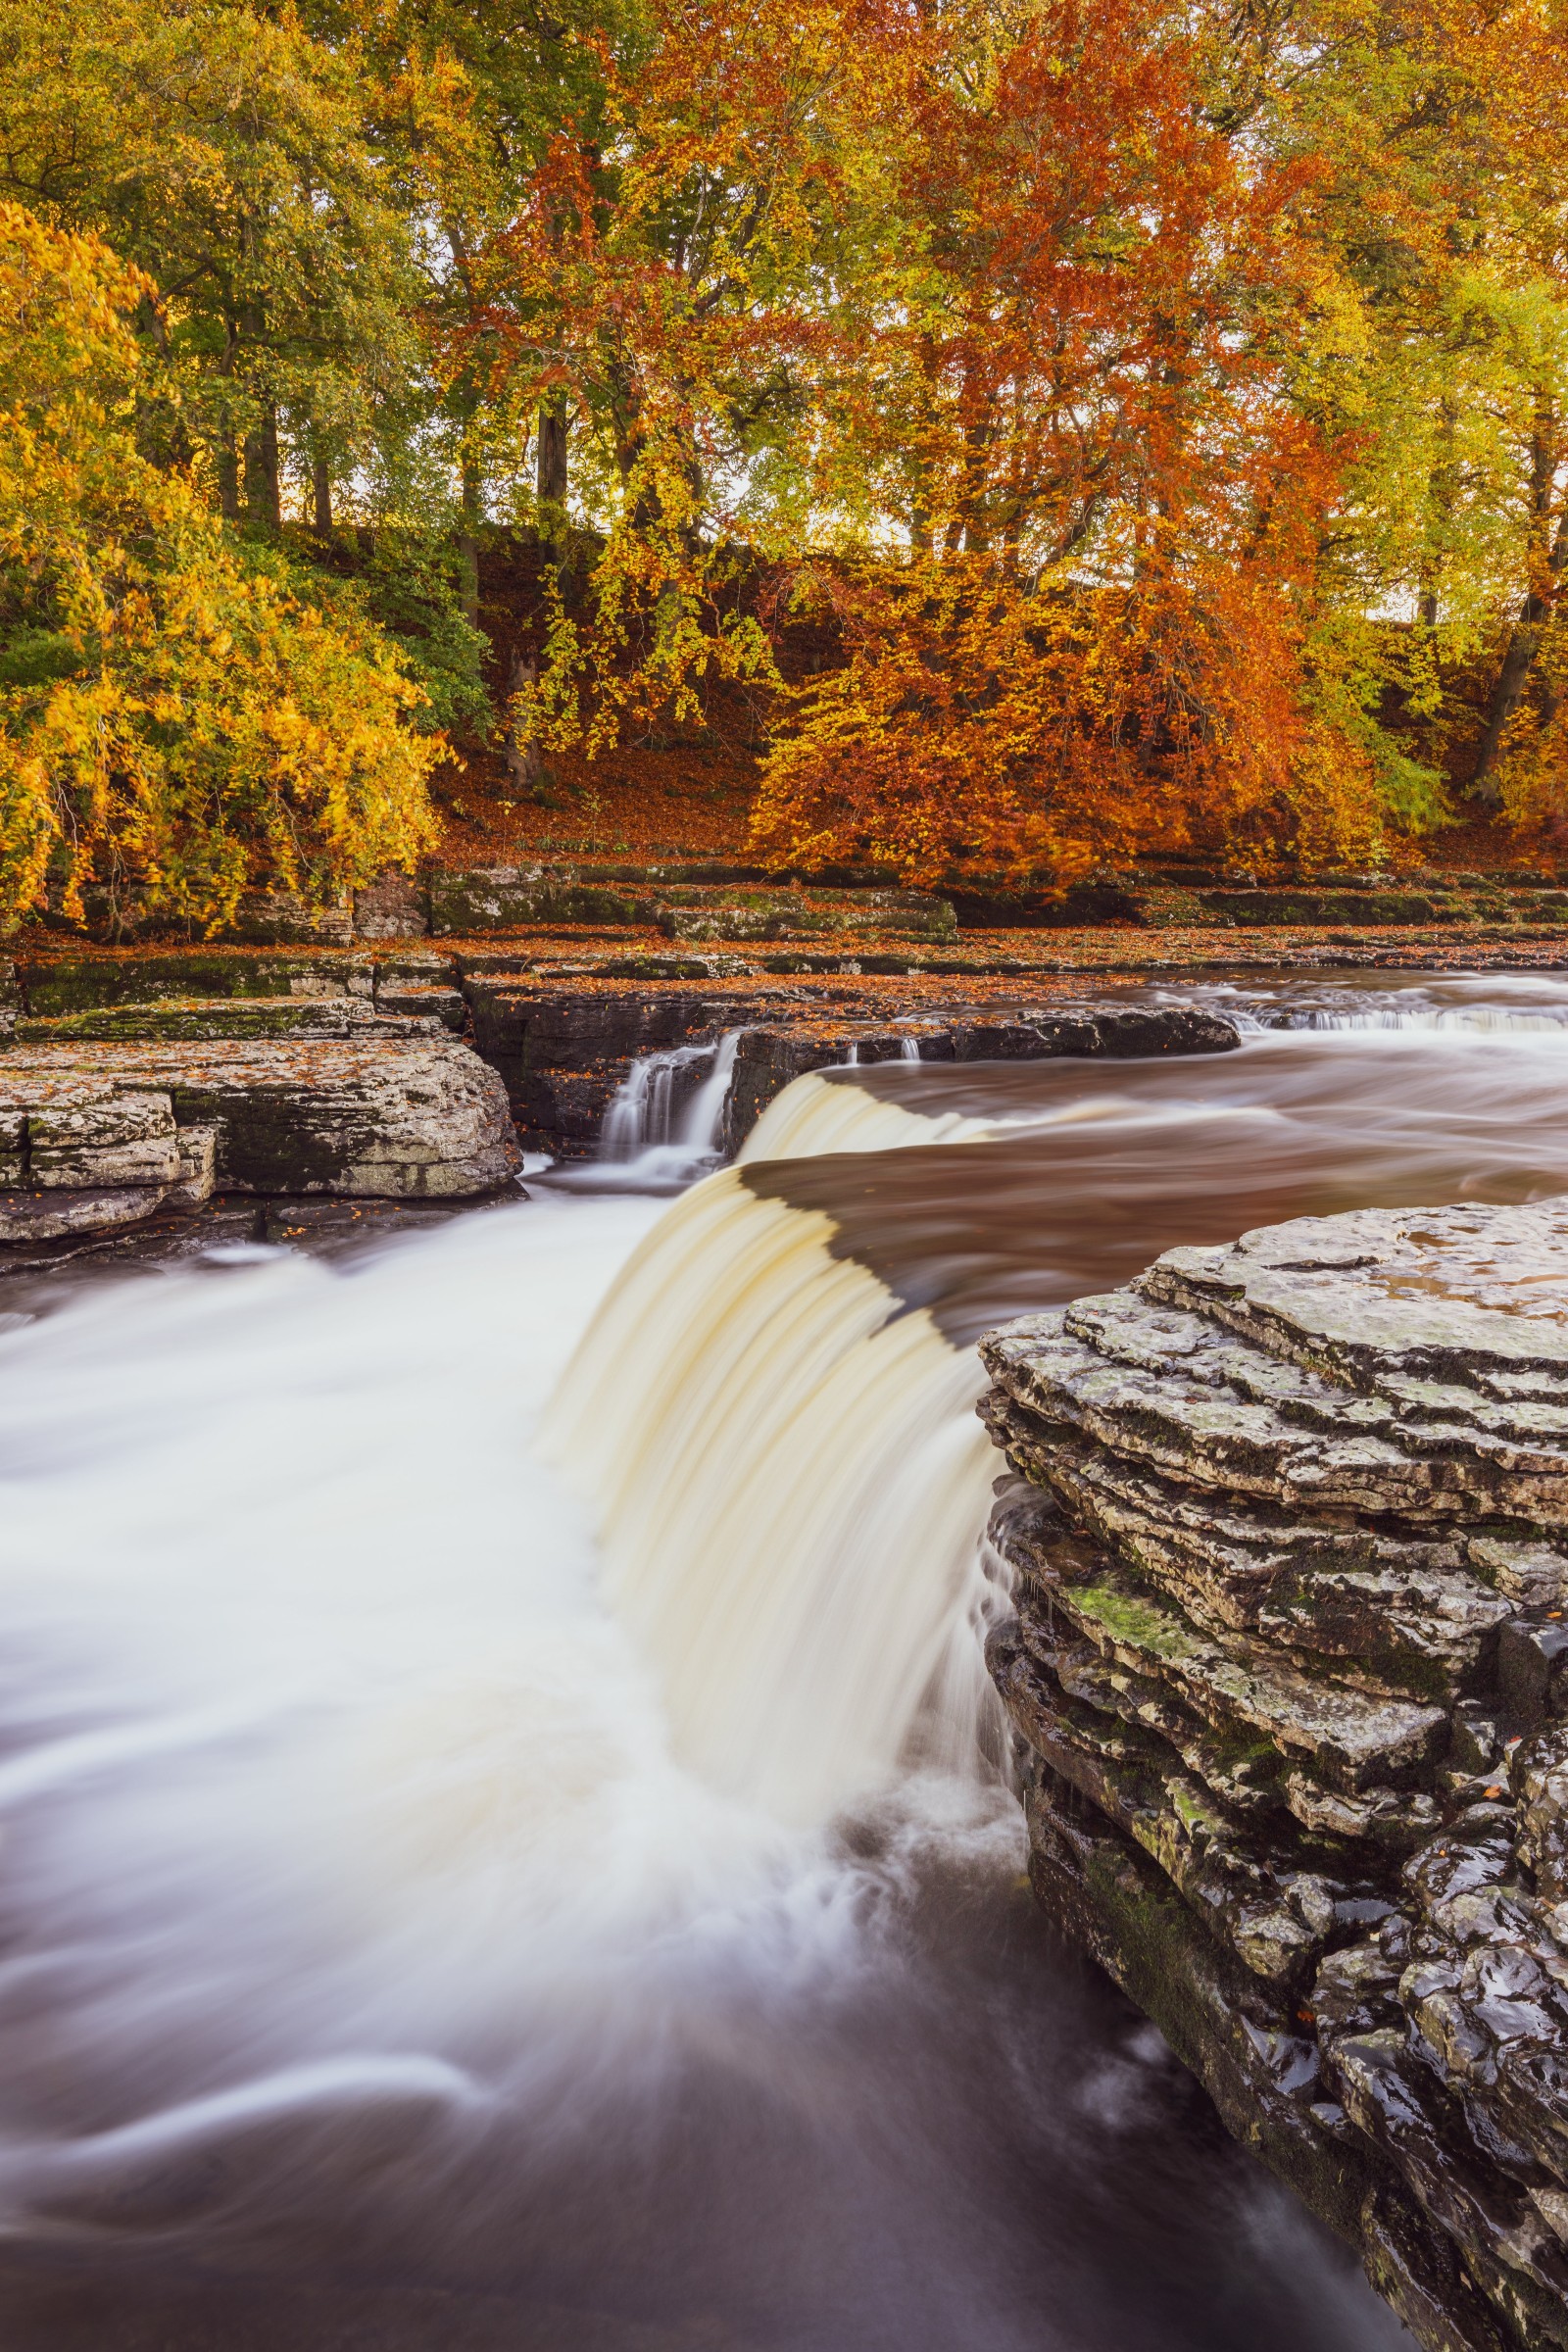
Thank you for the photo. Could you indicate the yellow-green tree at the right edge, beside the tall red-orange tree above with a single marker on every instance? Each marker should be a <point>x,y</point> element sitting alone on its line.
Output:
<point>1438,149</point>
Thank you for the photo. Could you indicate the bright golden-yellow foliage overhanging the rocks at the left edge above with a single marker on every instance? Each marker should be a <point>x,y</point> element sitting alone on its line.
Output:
<point>175,726</point>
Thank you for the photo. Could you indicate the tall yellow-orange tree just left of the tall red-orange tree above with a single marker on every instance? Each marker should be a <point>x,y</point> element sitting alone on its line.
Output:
<point>657,293</point>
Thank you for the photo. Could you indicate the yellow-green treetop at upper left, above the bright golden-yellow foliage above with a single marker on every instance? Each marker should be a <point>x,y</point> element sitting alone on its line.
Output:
<point>222,152</point>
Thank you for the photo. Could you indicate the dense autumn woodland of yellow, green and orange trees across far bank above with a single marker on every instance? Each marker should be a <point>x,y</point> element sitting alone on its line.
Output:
<point>1033,436</point>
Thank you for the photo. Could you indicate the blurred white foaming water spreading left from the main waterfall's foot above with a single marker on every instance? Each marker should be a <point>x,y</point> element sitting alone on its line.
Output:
<point>330,1779</point>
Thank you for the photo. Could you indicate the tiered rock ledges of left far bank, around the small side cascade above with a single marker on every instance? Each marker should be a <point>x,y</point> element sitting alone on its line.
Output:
<point>410,1071</point>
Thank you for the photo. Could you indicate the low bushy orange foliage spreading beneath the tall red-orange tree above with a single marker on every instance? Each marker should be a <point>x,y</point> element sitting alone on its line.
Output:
<point>981,723</point>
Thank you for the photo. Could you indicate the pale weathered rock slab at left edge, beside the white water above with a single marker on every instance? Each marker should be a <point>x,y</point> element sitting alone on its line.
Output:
<point>363,1118</point>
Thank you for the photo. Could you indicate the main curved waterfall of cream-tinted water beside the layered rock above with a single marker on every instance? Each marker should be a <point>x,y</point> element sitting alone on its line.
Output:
<point>789,1490</point>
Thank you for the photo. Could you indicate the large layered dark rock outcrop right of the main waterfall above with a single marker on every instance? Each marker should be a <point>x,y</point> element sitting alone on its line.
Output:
<point>1292,1683</point>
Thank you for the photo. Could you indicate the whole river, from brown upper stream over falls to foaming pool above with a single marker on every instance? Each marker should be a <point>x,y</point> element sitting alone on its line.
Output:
<point>504,1840</point>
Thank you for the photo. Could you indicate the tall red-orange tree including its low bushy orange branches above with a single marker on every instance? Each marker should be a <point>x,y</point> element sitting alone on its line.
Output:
<point>1094,648</point>
